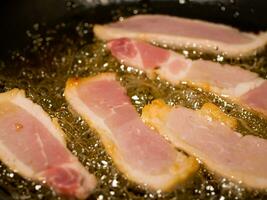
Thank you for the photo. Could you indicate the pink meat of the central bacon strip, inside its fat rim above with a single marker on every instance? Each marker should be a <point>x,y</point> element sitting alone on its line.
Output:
<point>109,100</point>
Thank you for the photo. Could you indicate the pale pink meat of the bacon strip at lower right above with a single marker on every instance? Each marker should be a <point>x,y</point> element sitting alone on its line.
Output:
<point>220,145</point>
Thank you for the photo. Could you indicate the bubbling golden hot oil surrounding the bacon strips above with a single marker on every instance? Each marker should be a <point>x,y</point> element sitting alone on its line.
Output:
<point>69,51</point>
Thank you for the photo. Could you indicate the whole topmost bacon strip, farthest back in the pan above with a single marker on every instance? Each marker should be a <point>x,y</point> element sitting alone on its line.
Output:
<point>181,32</point>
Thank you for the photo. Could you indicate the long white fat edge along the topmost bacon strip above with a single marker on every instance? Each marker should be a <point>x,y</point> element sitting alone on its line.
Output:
<point>258,41</point>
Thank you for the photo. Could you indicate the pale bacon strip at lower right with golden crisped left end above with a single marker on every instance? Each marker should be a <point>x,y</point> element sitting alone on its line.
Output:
<point>241,158</point>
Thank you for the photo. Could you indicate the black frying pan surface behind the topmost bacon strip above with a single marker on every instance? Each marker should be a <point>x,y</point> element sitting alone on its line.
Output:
<point>18,16</point>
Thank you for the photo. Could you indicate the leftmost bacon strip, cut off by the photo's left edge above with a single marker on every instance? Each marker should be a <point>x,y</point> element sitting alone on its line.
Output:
<point>33,145</point>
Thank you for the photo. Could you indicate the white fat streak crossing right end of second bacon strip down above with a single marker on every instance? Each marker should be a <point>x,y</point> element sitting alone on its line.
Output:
<point>242,88</point>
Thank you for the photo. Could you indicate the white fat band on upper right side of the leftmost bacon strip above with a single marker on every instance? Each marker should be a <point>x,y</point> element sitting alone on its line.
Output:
<point>37,112</point>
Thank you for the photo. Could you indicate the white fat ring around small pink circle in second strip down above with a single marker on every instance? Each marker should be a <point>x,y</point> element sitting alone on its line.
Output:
<point>165,72</point>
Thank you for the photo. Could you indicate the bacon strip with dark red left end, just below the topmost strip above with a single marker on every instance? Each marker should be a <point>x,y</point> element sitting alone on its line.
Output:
<point>233,81</point>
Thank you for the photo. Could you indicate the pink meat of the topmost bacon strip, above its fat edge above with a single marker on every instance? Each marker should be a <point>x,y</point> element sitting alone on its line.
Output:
<point>183,27</point>
